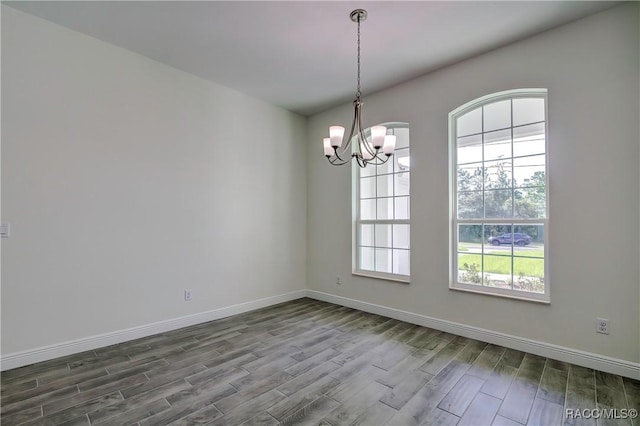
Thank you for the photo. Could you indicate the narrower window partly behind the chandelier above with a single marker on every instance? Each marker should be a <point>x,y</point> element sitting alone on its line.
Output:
<point>381,210</point>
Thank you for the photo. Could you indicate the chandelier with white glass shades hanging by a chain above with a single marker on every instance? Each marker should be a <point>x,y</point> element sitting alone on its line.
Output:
<point>375,151</point>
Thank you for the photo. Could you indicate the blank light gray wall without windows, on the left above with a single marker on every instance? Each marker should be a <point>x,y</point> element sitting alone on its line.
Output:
<point>126,181</point>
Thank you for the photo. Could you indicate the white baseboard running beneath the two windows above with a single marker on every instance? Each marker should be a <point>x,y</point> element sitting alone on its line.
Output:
<point>561,353</point>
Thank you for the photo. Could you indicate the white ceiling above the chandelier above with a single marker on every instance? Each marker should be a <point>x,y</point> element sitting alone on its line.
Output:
<point>301,55</point>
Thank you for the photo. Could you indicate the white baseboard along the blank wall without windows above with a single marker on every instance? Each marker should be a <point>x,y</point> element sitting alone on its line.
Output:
<point>19,359</point>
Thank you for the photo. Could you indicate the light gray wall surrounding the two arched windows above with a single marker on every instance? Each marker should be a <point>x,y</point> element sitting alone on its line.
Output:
<point>590,68</point>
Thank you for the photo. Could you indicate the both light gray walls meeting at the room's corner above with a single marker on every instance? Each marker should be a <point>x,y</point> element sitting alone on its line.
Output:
<point>127,181</point>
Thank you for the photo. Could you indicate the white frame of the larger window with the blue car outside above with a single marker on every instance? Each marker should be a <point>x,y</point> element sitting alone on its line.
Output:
<point>454,284</point>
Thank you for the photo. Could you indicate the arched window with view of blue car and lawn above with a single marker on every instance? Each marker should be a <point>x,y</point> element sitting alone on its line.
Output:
<point>499,187</point>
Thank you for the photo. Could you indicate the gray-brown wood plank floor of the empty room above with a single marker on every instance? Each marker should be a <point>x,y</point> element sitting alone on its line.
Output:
<point>309,362</point>
